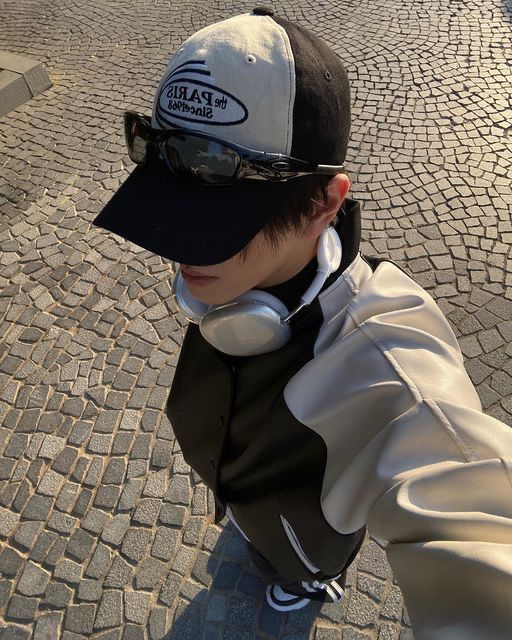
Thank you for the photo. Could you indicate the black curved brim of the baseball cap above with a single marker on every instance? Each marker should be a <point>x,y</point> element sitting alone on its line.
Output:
<point>189,224</point>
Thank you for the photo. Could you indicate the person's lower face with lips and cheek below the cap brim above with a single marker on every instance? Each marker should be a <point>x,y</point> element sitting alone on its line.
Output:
<point>264,266</point>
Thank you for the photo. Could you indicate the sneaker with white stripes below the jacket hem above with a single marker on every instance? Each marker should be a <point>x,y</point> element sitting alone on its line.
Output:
<point>291,597</point>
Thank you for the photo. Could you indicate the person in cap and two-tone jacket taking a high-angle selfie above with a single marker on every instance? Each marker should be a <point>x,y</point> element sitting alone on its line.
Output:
<point>317,392</point>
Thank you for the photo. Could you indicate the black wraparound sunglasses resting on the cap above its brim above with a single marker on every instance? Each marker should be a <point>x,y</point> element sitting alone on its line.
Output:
<point>207,160</point>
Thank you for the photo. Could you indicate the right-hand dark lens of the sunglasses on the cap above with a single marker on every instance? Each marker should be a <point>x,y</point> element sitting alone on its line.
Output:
<point>201,160</point>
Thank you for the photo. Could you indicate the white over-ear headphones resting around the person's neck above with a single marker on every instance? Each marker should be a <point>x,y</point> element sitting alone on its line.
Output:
<point>256,322</point>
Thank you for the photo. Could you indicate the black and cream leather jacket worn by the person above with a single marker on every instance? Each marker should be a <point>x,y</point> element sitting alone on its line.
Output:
<point>366,417</point>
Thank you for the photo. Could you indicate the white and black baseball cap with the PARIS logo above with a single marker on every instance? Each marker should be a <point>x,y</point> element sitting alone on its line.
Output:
<point>256,80</point>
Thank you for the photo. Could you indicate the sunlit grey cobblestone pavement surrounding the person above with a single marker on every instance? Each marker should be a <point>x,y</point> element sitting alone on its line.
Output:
<point>104,530</point>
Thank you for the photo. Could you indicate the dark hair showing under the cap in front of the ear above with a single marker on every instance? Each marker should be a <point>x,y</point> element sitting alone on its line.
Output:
<point>293,209</point>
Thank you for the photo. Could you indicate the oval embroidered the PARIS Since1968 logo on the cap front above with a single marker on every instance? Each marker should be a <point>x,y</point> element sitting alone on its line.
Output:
<point>192,100</point>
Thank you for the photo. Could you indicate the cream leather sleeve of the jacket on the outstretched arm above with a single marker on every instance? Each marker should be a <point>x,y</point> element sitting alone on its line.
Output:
<point>410,453</point>
